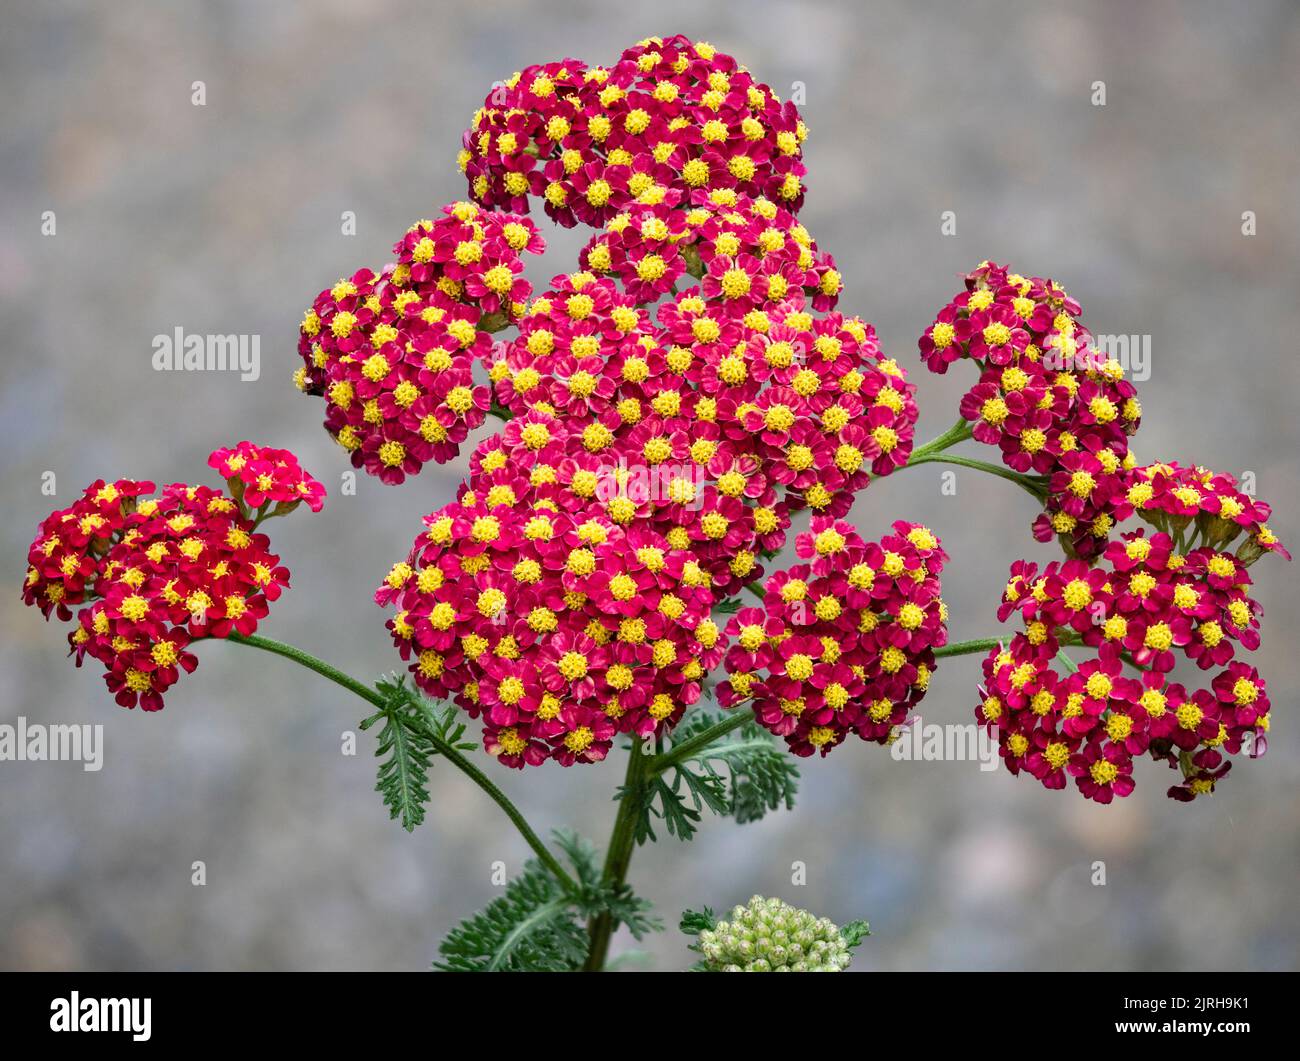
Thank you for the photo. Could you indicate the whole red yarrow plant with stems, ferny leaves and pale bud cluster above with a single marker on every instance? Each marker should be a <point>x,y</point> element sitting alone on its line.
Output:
<point>669,417</point>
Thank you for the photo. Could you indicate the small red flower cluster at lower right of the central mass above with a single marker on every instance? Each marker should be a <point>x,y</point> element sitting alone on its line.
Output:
<point>844,644</point>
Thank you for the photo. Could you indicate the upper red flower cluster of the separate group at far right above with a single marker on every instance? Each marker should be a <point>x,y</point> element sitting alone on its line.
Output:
<point>1052,402</point>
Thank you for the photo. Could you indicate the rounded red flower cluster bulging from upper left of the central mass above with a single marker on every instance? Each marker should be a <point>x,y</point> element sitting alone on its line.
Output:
<point>393,353</point>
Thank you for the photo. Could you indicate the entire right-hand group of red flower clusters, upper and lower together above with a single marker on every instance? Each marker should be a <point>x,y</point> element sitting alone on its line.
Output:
<point>1059,408</point>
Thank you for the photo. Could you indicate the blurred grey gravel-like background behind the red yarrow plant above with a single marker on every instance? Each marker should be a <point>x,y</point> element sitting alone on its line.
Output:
<point>227,219</point>
